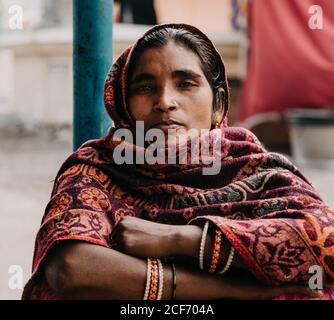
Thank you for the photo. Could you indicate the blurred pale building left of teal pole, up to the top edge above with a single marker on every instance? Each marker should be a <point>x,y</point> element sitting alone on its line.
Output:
<point>36,85</point>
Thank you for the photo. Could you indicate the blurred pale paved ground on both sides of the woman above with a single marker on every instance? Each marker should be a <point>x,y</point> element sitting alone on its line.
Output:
<point>27,167</point>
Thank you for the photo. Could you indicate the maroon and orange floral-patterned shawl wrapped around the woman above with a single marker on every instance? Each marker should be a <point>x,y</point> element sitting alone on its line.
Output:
<point>269,212</point>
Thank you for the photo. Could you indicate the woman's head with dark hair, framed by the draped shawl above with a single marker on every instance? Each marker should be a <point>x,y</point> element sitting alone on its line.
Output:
<point>172,73</point>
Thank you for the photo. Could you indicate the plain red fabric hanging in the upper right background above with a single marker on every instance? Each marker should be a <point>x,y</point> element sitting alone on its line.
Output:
<point>290,65</point>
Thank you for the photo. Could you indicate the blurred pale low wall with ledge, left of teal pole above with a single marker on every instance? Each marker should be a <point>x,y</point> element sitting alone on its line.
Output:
<point>36,77</point>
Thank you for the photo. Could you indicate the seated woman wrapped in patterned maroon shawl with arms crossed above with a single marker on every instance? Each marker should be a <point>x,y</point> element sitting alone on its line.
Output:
<point>167,231</point>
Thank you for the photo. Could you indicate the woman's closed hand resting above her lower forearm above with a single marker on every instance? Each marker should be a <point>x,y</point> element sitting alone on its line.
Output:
<point>142,238</point>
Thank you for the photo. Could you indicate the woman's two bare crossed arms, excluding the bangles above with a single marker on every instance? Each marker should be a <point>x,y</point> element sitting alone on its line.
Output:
<point>78,270</point>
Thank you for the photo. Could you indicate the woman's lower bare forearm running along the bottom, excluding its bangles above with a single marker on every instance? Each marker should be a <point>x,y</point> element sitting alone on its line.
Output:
<point>94,272</point>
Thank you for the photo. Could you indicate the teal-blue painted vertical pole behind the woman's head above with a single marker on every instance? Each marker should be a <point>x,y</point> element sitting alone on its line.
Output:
<point>92,58</point>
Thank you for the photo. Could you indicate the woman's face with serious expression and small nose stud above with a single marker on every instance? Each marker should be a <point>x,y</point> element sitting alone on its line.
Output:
<point>168,90</point>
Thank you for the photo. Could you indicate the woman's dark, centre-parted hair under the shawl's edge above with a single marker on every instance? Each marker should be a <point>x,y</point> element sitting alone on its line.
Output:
<point>209,63</point>
